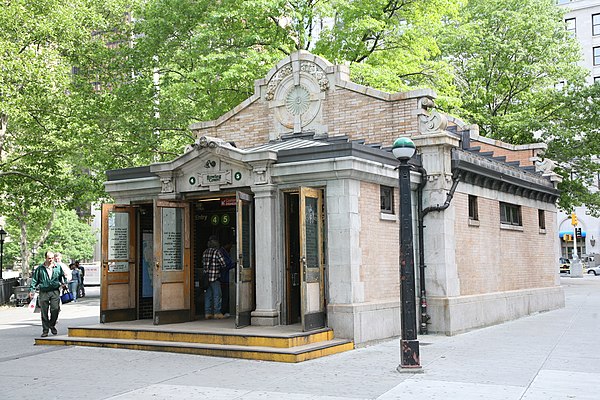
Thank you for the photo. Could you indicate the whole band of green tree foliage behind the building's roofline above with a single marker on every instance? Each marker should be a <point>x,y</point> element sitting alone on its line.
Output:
<point>114,84</point>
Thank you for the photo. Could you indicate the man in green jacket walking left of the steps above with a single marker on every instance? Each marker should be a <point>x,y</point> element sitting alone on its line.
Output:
<point>48,278</point>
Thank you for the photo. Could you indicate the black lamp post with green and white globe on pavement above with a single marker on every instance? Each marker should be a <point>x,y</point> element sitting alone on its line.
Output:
<point>403,149</point>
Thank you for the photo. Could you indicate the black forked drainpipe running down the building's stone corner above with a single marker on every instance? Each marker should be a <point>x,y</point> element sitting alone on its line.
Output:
<point>425,317</point>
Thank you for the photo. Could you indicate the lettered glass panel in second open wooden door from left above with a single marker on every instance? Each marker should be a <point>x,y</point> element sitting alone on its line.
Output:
<point>172,239</point>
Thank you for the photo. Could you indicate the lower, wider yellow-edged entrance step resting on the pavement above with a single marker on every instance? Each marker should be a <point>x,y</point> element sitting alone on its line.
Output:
<point>265,353</point>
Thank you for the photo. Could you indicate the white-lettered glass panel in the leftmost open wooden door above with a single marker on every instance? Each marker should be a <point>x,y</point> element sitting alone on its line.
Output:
<point>118,241</point>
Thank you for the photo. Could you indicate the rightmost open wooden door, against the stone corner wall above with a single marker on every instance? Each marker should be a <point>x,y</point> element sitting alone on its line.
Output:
<point>311,257</point>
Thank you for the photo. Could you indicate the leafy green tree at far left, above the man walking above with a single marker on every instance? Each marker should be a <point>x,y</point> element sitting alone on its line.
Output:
<point>42,165</point>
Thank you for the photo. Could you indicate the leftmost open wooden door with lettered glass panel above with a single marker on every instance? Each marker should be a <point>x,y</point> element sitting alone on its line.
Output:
<point>118,266</point>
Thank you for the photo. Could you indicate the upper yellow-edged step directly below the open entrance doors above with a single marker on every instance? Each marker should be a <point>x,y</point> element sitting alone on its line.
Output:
<point>232,338</point>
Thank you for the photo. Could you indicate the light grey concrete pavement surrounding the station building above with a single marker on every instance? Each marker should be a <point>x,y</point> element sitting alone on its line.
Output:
<point>546,356</point>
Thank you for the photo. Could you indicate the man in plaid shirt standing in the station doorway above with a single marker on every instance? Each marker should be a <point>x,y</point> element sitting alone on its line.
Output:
<point>213,262</point>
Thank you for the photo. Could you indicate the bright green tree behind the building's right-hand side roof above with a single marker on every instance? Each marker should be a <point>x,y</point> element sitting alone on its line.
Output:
<point>517,77</point>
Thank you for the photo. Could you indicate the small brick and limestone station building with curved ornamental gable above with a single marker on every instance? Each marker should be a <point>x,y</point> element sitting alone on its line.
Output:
<point>300,178</point>
